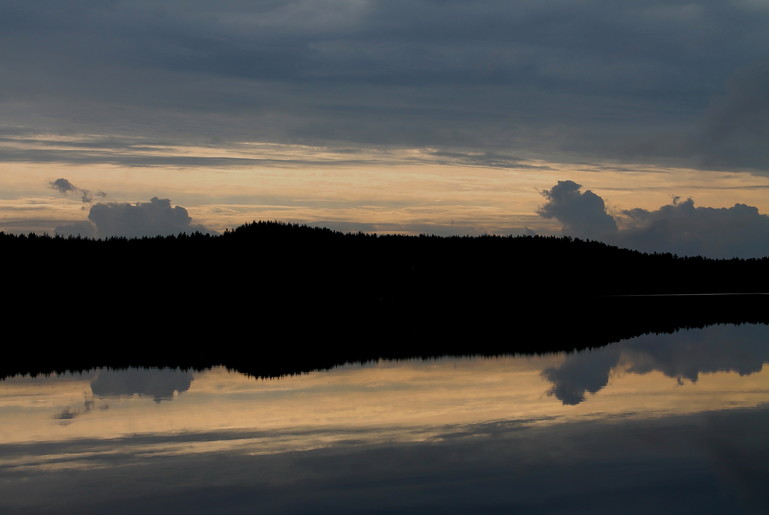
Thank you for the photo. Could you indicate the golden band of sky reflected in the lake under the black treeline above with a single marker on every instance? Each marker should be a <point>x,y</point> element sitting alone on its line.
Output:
<point>636,377</point>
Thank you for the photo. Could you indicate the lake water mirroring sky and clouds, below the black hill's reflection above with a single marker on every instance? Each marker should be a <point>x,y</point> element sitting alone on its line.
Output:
<point>675,423</point>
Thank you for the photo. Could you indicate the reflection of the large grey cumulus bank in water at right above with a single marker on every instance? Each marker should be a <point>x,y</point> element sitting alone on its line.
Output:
<point>682,356</point>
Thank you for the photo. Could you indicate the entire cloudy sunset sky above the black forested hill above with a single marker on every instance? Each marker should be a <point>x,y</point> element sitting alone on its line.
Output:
<point>641,123</point>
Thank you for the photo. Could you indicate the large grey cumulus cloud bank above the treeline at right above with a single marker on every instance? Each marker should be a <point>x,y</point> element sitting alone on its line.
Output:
<point>679,227</point>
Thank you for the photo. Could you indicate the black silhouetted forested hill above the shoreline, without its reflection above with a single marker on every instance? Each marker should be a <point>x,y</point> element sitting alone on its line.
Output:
<point>297,262</point>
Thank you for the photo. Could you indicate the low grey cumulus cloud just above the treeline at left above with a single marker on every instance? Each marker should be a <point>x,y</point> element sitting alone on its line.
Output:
<point>154,218</point>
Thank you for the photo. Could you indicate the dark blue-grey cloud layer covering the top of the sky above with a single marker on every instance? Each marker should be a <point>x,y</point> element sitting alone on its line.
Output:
<point>650,80</point>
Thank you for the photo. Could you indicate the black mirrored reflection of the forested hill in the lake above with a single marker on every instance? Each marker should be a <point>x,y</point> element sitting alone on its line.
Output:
<point>272,344</point>
